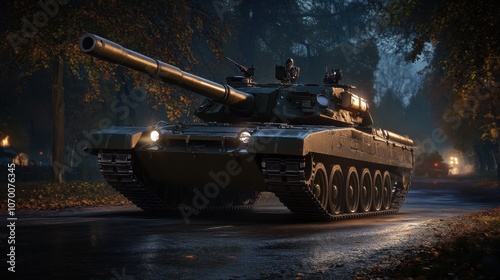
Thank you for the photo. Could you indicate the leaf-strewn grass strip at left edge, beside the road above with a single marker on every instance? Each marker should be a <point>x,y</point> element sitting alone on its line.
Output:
<point>43,195</point>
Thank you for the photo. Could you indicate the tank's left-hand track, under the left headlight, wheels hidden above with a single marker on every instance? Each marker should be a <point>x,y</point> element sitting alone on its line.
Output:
<point>118,170</point>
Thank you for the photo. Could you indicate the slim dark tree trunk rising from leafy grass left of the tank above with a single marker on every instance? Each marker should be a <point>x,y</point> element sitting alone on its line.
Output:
<point>58,122</point>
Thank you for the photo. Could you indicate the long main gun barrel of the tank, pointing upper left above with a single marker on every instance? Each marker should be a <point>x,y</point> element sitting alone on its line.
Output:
<point>112,52</point>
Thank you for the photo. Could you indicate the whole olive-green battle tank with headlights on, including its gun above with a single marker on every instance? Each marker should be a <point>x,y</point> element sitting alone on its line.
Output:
<point>311,145</point>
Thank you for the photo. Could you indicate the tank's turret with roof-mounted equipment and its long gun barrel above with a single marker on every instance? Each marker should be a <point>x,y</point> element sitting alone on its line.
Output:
<point>331,104</point>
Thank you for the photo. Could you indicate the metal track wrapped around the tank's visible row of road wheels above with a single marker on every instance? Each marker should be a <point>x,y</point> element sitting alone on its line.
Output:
<point>286,177</point>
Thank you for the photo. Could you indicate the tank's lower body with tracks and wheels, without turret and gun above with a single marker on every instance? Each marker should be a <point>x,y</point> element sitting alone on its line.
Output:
<point>206,167</point>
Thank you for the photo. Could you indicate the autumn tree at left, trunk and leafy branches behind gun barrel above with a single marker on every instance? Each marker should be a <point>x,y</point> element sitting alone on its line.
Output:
<point>43,36</point>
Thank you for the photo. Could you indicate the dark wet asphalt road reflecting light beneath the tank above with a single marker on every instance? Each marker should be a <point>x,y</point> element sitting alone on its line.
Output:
<point>267,243</point>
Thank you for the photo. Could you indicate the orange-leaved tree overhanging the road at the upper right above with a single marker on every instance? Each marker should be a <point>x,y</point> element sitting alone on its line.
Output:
<point>464,39</point>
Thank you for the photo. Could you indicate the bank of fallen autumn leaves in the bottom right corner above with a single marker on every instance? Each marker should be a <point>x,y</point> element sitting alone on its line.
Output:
<point>463,247</point>
